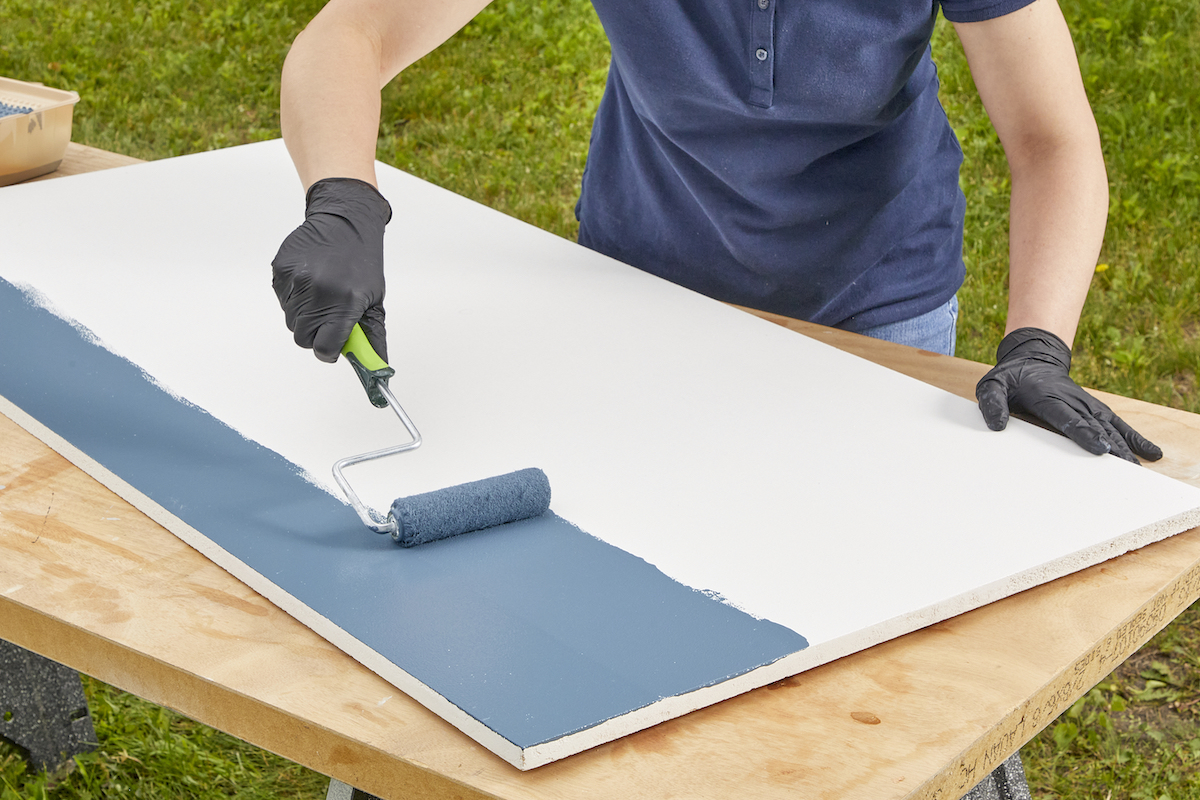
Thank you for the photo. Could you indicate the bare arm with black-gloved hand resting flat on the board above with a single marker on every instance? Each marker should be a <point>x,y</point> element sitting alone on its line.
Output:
<point>1028,75</point>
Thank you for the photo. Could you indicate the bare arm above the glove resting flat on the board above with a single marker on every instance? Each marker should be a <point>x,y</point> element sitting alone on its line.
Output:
<point>1028,75</point>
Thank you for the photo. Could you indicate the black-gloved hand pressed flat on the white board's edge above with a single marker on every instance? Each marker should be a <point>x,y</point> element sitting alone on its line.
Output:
<point>1030,378</point>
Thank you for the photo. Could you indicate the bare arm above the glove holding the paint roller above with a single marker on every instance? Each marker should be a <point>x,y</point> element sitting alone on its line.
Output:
<point>332,79</point>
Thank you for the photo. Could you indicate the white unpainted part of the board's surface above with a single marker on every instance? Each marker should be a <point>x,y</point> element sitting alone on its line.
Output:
<point>802,484</point>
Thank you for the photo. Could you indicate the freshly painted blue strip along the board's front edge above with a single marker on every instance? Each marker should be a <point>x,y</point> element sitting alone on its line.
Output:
<point>537,629</point>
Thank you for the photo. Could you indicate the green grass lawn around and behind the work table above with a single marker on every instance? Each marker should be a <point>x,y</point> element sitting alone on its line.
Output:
<point>502,115</point>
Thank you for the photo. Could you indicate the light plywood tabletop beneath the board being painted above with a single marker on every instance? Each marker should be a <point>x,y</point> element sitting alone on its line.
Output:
<point>92,582</point>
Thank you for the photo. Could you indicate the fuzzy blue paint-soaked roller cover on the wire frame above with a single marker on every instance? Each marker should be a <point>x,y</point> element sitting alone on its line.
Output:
<point>457,510</point>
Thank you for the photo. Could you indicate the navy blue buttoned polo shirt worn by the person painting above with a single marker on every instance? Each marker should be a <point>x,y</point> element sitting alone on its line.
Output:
<point>784,155</point>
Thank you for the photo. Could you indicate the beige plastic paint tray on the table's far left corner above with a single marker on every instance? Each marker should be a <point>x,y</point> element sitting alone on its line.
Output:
<point>35,129</point>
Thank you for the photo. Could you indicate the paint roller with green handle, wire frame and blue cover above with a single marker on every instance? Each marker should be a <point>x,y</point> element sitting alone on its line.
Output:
<point>441,514</point>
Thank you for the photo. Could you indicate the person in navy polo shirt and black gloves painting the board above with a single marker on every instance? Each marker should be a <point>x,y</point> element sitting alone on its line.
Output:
<point>781,155</point>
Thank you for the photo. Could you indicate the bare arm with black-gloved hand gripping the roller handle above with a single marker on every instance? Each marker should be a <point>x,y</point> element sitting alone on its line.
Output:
<point>328,275</point>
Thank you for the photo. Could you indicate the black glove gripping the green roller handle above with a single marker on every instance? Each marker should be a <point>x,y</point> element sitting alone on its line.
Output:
<point>328,274</point>
